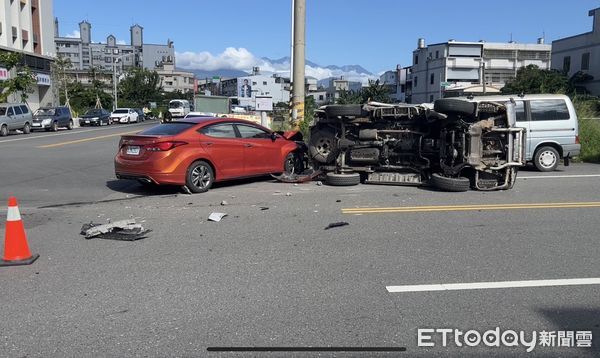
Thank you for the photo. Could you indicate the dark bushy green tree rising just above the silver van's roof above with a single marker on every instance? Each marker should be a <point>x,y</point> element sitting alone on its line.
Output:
<point>532,79</point>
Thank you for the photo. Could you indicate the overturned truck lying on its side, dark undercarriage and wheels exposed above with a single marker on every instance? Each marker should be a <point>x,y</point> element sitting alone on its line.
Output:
<point>453,145</point>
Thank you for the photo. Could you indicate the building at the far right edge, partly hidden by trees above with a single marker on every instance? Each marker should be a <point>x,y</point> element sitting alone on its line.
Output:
<point>580,53</point>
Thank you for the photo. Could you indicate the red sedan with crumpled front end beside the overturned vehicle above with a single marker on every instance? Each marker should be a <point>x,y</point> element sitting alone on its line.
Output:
<point>197,152</point>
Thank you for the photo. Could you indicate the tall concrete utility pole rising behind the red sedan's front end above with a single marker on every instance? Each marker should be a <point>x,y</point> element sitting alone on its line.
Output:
<point>299,45</point>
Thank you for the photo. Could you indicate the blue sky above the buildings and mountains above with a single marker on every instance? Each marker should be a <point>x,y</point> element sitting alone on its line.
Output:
<point>376,34</point>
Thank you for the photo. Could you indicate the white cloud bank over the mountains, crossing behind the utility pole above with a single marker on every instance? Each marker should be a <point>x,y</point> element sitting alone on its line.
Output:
<point>243,60</point>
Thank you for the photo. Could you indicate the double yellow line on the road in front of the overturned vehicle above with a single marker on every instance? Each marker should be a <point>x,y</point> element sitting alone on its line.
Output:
<point>414,209</point>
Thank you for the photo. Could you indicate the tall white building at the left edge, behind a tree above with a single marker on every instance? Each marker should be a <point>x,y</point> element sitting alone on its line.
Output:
<point>26,26</point>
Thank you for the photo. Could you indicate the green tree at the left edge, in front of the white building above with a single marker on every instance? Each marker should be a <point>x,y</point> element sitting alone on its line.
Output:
<point>22,82</point>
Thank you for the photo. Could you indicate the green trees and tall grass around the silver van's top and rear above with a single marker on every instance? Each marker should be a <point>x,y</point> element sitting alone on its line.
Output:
<point>532,79</point>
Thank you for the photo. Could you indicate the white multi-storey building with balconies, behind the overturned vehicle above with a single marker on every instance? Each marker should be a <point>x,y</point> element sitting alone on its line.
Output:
<point>457,67</point>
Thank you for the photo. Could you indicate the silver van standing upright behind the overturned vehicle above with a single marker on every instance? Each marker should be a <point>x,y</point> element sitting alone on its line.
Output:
<point>551,125</point>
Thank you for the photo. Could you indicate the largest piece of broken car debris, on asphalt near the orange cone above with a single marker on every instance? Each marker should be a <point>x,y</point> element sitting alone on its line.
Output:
<point>124,230</point>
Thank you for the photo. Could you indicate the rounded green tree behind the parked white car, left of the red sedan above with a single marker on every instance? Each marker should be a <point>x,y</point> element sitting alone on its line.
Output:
<point>139,87</point>
